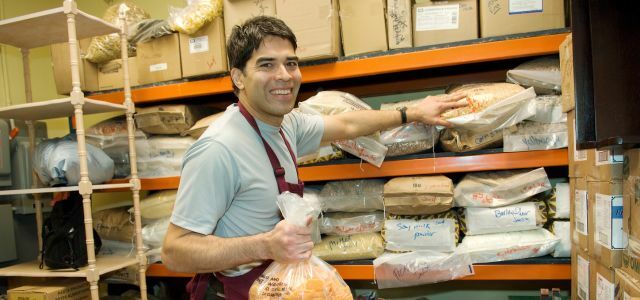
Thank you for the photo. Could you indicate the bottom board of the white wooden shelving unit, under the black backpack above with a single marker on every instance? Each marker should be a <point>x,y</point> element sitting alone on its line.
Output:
<point>104,264</point>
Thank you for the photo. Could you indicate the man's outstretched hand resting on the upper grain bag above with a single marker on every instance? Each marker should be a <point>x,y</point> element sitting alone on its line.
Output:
<point>429,111</point>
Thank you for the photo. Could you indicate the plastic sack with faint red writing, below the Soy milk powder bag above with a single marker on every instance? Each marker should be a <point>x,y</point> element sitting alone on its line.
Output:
<point>420,267</point>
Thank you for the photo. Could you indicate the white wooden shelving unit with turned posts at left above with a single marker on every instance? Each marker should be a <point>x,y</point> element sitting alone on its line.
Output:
<point>68,24</point>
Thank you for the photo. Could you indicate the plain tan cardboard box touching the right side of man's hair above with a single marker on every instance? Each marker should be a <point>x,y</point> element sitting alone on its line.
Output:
<point>316,25</point>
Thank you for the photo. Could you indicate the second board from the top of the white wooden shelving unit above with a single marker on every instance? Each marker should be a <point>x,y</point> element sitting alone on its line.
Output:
<point>57,108</point>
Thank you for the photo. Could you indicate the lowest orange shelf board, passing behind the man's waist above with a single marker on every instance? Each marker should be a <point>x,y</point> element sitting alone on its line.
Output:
<point>482,272</point>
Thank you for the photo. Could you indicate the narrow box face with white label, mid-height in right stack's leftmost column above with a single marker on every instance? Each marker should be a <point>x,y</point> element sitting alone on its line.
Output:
<point>580,214</point>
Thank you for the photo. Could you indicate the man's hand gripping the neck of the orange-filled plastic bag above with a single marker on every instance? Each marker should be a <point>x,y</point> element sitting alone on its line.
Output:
<point>288,243</point>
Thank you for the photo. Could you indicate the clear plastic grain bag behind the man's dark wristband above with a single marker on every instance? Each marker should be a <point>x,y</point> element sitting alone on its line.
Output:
<point>408,138</point>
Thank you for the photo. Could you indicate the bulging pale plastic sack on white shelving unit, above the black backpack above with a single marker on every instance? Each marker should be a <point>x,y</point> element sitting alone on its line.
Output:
<point>57,163</point>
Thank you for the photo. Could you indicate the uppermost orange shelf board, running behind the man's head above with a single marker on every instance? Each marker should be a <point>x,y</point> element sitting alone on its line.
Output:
<point>348,67</point>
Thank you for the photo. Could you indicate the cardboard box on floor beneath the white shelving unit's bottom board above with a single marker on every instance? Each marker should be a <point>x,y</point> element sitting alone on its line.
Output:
<point>56,289</point>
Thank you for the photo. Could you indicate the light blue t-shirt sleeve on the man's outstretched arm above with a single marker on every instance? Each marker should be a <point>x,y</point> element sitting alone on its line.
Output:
<point>309,131</point>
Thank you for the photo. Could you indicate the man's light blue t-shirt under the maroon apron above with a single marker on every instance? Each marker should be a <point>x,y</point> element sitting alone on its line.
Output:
<point>227,185</point>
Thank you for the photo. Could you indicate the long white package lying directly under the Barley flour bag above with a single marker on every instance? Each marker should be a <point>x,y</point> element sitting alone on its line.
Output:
<point>504,246</point>
